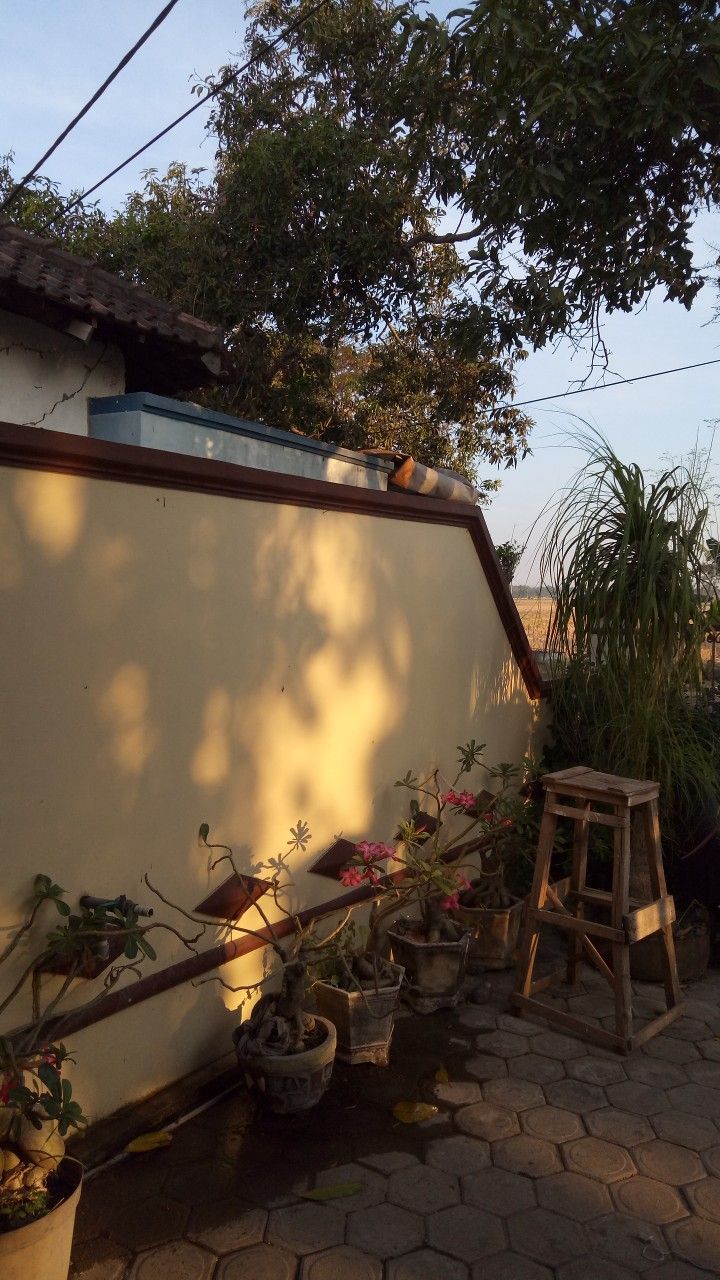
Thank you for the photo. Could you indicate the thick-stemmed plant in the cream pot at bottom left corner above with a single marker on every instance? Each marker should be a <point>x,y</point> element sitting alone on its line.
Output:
<point>39,1185</point>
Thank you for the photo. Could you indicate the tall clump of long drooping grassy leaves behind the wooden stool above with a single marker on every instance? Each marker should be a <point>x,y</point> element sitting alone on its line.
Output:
<point>625,557</point>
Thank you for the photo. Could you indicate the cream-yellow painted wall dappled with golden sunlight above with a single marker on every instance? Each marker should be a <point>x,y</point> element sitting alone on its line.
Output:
<point>171,659</point>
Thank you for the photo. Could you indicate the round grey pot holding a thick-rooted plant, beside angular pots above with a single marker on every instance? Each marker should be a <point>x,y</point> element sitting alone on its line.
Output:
<point>294,1082</point>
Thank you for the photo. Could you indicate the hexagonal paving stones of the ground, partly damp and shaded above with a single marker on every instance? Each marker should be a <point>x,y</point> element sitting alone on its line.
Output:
<point>548,1159</point>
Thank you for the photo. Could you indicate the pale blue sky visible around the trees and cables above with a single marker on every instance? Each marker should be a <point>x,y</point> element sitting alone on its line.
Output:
<point>56,53</point>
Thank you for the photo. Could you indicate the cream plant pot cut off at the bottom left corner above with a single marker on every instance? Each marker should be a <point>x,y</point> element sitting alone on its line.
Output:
<point>42,1250</point>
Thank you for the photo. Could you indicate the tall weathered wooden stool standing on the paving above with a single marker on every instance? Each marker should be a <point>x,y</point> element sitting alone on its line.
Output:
<point>563,904</point>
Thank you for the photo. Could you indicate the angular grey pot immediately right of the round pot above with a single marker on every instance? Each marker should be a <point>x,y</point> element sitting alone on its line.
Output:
<point>364,1021</point>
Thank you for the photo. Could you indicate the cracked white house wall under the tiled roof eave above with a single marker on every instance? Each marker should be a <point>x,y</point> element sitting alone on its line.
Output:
<point>47,377</point>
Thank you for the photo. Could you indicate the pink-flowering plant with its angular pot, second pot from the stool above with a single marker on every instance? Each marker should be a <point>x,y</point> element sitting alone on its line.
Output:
<point>420,898</point>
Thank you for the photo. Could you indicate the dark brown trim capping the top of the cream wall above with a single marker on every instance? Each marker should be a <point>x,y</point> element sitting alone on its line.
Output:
<point>104,460</point>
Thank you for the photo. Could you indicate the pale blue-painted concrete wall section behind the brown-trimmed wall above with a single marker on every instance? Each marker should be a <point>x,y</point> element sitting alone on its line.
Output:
<point>160,423</point>
